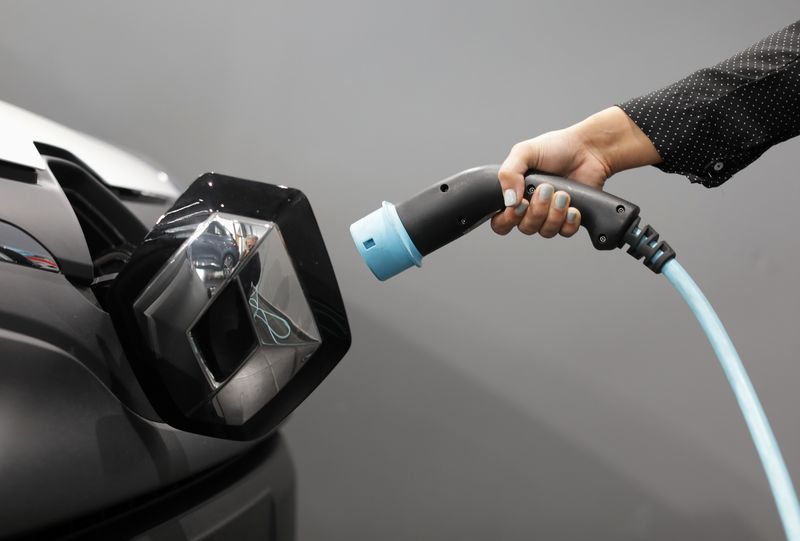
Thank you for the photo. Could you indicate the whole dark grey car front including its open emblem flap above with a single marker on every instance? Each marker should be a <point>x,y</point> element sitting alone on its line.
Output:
<point>144,379</point>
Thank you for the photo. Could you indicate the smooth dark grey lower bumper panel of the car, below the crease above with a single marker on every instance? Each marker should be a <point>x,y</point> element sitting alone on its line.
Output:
<point>69,447</point>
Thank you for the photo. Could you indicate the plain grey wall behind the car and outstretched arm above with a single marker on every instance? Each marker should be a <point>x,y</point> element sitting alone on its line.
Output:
<point>513,387</point>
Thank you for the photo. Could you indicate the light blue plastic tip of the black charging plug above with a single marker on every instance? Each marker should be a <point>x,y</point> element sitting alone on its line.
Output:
<point>383,242</point>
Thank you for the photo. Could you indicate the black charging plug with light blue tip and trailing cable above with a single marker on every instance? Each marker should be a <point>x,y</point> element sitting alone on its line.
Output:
<point>449,209</point>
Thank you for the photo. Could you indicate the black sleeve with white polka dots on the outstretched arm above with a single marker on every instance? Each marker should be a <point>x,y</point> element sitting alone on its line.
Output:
<point>718,120</point>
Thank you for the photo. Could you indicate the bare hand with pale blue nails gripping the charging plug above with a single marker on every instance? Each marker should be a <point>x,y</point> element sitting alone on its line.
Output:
<point>588,152</point>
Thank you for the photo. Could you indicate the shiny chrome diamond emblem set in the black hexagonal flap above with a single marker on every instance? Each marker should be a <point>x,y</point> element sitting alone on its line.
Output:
<point>246,352</point>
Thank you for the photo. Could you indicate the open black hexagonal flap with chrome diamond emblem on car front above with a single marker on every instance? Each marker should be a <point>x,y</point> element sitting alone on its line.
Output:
<point>229,310</point>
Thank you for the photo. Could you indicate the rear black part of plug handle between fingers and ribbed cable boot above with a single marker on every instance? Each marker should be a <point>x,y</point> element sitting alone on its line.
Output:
<point>605,216</point>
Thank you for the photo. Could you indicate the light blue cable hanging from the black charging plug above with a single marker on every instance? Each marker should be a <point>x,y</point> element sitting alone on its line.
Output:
<point>778,476</point>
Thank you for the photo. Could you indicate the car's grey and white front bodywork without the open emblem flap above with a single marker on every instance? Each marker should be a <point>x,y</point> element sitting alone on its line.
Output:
<point>83,450</point>
